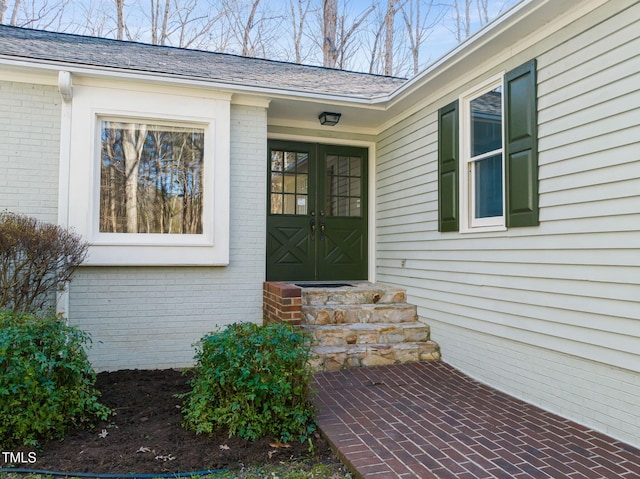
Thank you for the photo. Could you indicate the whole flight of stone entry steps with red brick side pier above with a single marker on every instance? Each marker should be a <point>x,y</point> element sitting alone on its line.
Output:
<point>355,325</point>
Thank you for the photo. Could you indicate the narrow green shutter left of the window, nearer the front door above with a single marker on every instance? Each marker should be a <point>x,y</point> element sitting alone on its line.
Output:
<point>448,210</point>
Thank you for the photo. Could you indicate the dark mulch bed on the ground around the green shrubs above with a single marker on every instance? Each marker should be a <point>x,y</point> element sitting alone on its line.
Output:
<point>145,435</point>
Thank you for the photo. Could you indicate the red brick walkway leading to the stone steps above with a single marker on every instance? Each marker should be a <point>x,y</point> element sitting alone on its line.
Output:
<point>428,420</point>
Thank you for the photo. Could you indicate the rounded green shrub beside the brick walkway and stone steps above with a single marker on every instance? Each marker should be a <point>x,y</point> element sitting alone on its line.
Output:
<point>252,380</point>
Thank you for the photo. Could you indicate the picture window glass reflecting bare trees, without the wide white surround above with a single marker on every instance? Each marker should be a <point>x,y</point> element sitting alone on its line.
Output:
<point>151,178</point>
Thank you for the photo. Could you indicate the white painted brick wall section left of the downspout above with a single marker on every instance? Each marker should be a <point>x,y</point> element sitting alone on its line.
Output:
<point>29,149</point>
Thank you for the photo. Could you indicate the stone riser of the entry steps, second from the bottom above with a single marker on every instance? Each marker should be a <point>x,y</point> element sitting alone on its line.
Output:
<point>361,334</point>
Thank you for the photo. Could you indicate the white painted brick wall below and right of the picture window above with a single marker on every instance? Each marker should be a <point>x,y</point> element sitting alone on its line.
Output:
<point>149,318</point>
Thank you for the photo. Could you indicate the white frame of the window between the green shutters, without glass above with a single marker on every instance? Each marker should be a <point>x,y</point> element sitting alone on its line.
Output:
<point>468,223</point>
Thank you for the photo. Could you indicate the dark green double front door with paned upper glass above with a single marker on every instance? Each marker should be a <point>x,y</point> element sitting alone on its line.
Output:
<point>317,212</point>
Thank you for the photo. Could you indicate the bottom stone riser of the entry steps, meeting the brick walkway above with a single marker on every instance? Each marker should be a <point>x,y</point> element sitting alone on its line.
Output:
<point>335,358</point>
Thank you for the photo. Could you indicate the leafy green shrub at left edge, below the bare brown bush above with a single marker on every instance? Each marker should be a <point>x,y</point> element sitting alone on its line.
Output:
<point>46,381</point>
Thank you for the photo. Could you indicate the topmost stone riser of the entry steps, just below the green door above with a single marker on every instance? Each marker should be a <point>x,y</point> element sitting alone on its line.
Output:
<point>313,297</point>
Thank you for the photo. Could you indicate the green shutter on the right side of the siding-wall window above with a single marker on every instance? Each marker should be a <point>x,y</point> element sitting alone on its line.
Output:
<point>521,146</point>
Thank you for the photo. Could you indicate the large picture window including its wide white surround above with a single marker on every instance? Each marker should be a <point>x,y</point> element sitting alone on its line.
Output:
<point>149,175</point>
